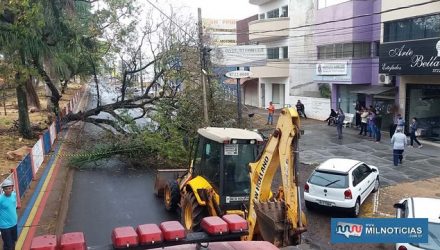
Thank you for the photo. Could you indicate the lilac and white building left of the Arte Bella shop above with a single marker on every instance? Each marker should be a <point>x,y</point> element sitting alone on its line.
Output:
<point>347,35</point>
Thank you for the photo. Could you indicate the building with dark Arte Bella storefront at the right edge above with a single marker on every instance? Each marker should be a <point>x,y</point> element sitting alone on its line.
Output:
<point>410,54</point>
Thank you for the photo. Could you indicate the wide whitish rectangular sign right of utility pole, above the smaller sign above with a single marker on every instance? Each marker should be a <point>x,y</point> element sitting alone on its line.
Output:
<point>239,56</point>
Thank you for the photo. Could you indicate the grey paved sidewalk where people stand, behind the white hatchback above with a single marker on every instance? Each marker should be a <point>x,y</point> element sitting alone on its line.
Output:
<point>419,175</point>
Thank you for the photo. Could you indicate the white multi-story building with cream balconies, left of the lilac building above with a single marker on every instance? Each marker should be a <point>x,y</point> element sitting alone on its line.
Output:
<point>272,30</point>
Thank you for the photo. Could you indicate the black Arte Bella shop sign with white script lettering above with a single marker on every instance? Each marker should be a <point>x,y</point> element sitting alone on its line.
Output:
<point>410,58</point>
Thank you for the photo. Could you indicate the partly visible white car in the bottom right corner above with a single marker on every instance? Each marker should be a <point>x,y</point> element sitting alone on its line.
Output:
<point>418,207</point>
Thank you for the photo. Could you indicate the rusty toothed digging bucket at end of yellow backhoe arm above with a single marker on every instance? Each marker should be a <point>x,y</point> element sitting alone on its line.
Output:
<point>272,226</point>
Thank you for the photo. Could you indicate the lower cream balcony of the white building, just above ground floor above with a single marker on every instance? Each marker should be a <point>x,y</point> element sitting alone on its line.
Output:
<point>273,68</point>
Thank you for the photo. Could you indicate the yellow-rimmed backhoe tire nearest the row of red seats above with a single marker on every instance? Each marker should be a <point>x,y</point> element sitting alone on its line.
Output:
<point>192,213</point>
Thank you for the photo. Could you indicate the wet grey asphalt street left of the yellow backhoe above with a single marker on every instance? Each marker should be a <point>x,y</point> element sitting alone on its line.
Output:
<point>111,195</point>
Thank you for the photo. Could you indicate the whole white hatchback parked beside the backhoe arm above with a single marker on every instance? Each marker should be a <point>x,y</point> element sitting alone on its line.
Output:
<point>341,183</point>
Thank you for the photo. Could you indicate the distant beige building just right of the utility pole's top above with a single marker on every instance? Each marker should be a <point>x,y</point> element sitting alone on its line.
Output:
<point>222,32</point>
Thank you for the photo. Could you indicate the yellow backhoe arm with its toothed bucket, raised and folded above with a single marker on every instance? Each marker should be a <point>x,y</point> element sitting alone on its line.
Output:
<point>279,221</point>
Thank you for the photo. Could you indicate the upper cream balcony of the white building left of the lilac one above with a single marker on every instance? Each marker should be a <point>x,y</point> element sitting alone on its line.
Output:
<point>269,29</point>
